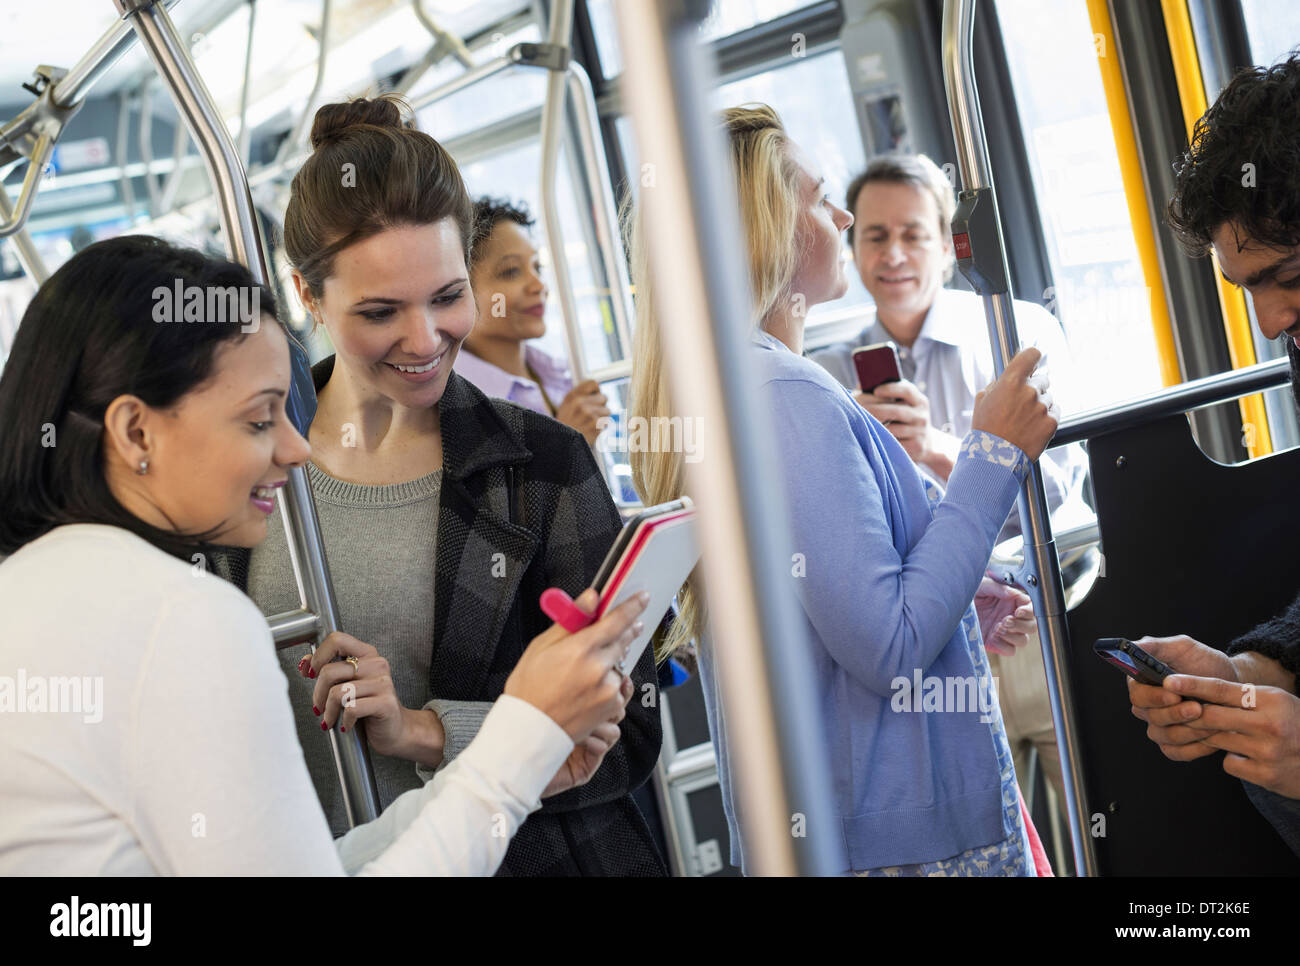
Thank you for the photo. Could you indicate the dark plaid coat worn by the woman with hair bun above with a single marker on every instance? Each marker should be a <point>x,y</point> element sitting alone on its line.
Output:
<point>521,484</point>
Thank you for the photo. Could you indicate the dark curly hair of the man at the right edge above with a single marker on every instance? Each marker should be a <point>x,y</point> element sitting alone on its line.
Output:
<point>1243,164</point>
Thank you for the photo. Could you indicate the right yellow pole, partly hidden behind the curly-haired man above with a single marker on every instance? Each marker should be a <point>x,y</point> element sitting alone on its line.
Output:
<point>1237,322</point>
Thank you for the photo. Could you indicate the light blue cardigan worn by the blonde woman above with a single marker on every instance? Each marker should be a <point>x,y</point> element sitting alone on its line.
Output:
<point>886,581</point>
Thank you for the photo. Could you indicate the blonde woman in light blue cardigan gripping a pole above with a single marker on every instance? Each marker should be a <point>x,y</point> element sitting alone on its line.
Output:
<point>924,787</point>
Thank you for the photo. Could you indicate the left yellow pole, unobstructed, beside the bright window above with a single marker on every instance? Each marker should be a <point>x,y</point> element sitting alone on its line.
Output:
<point>1136,189</point>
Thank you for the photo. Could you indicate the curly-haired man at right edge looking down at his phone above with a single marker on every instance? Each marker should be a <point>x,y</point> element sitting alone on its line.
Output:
<point>1238,196</point>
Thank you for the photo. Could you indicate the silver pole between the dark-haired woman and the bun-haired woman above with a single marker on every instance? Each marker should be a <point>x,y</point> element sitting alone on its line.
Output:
<point>196,106</point>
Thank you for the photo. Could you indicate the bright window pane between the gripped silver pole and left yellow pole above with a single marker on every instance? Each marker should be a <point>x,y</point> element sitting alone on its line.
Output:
<point>1100,293</point>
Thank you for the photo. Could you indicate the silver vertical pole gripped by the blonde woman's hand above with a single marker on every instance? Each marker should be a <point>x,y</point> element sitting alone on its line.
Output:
<point>1042,574</point>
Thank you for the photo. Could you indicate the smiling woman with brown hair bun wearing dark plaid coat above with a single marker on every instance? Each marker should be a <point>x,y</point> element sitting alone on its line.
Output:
<point>445,514</point>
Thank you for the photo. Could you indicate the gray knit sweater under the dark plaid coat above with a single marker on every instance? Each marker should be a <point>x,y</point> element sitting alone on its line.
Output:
<point>380,544</point>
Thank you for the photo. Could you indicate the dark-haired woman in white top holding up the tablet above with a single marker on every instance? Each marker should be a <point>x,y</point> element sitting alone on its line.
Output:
<point>141,430</point>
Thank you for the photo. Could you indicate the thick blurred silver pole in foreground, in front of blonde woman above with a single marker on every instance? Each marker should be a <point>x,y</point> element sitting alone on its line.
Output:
<point>781,770</point>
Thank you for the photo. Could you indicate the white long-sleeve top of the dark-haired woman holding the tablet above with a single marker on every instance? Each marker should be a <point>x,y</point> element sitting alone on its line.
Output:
<point>145,729</point>
